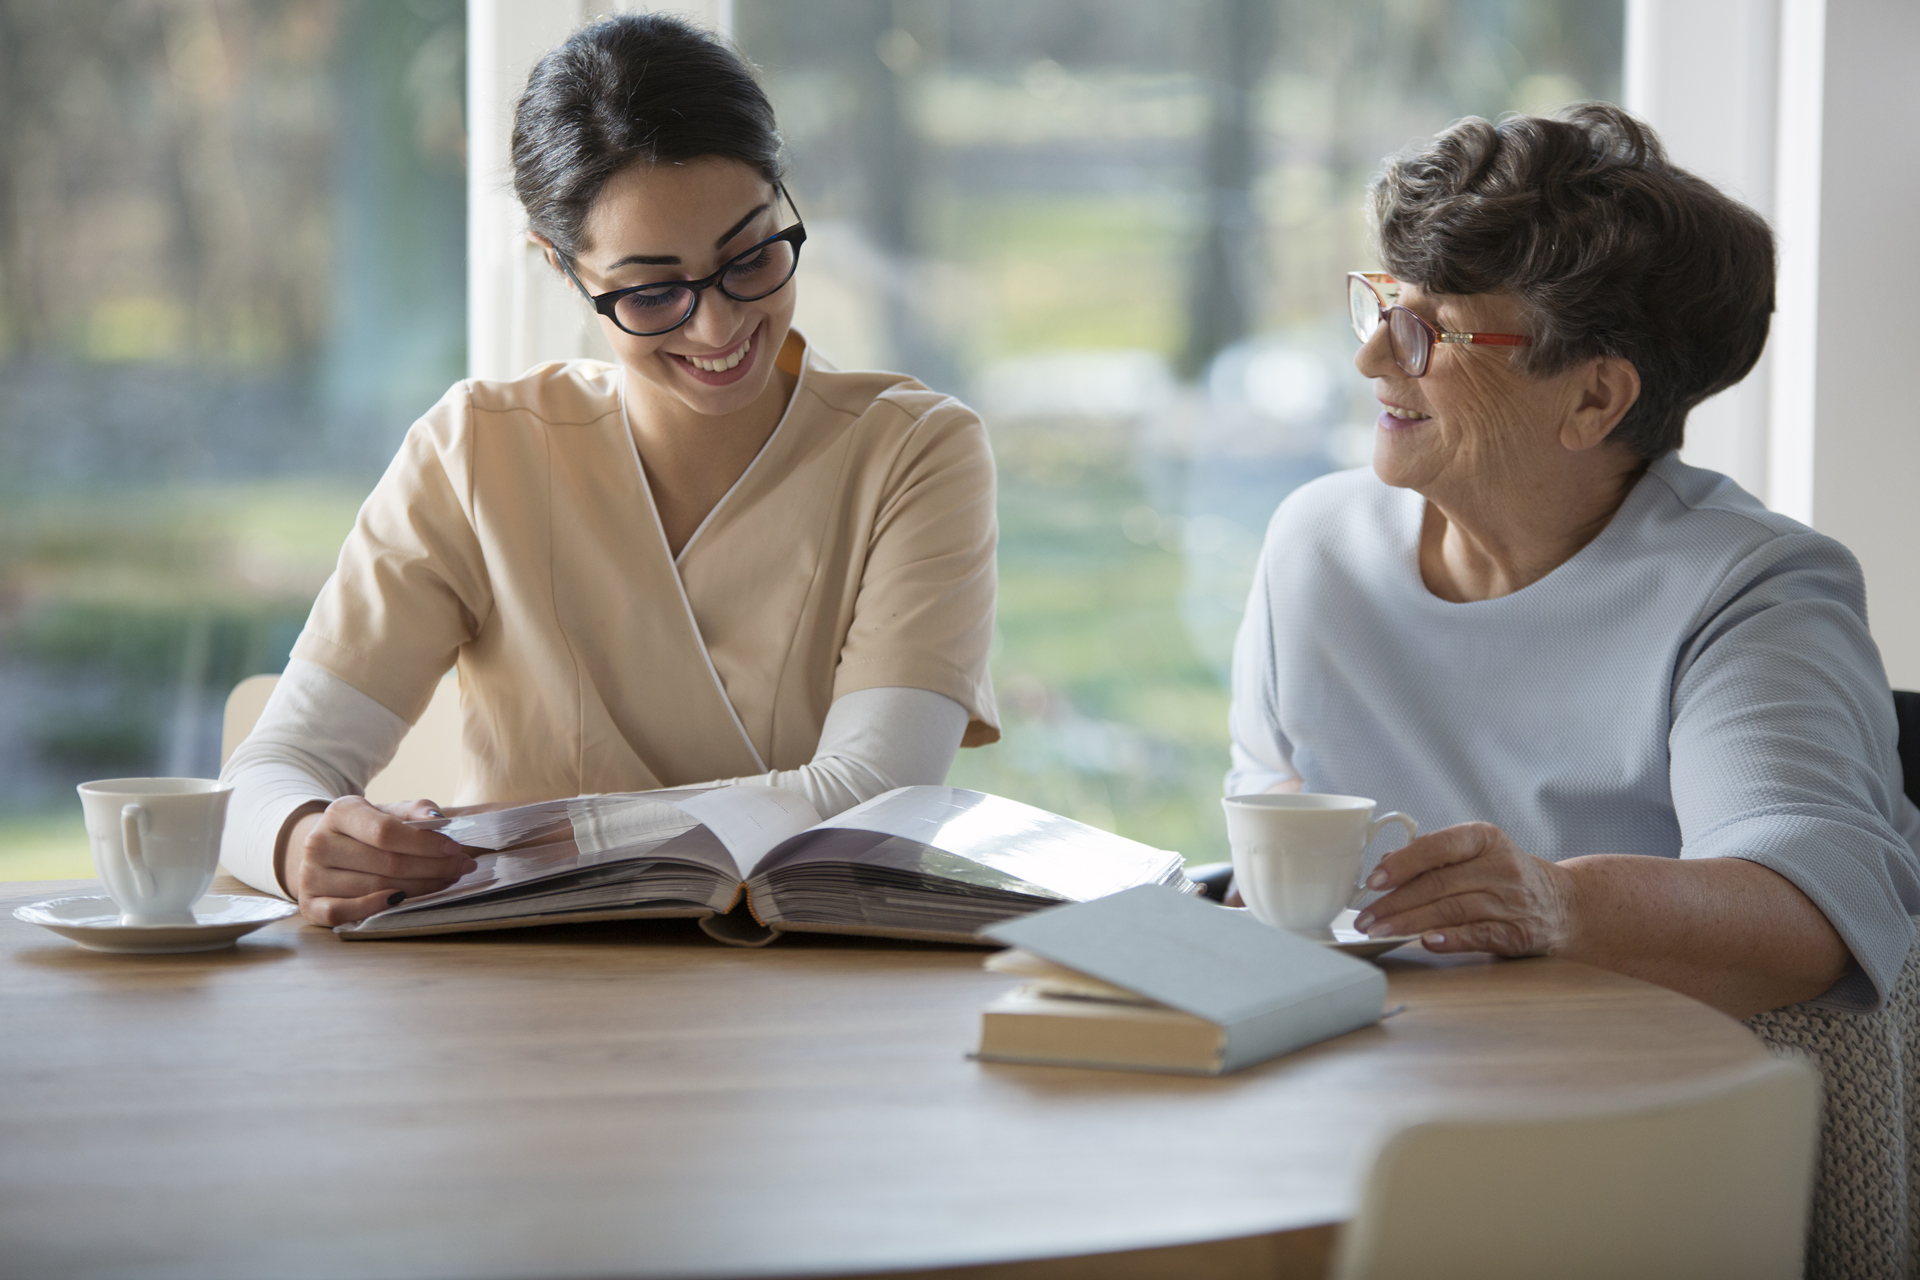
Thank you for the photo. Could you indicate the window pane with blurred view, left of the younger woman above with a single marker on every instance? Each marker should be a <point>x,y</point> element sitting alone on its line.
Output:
<point>231,273</point>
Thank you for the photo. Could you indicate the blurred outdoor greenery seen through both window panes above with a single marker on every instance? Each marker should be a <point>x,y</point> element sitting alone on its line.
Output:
<point>233,272</point>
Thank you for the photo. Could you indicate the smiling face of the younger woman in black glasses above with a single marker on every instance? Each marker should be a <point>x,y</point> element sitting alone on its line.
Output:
<point>658,224</point>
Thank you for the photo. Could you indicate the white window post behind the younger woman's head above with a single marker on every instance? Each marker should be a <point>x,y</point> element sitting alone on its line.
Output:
<point>519,312</point>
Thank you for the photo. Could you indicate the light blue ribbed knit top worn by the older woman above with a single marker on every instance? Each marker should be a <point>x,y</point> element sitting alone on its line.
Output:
<point>1698,682</point>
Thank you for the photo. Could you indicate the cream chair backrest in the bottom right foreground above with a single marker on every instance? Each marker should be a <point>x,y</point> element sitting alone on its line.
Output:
<point>1706,1181</point>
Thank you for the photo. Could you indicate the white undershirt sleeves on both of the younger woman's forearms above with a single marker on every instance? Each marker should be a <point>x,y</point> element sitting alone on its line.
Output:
<point>320,740</point>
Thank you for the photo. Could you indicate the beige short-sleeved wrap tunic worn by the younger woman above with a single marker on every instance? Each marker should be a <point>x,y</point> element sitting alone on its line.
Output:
<point>516,536</point>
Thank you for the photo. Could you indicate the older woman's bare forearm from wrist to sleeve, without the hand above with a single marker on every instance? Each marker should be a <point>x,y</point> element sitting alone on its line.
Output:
<point>1721,930</point>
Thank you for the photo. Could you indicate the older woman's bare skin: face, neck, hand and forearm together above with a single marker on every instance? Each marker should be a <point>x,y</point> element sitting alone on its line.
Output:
<point>1518,477</point>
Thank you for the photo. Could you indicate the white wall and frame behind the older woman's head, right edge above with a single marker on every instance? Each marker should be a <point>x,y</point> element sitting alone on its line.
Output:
<point>1806,112</point>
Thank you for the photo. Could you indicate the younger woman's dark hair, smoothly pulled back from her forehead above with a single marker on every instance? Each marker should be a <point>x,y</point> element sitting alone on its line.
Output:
<point>631,89</point>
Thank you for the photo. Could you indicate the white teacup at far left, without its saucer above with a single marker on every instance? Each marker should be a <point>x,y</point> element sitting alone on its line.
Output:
<point>156,843</point>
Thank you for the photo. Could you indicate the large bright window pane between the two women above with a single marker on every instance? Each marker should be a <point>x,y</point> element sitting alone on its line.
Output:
<point>1118,227</point>
